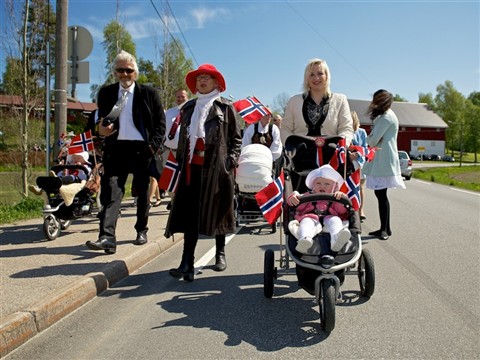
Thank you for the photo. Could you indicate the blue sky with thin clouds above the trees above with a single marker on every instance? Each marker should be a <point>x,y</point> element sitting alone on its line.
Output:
<point>262,47</point>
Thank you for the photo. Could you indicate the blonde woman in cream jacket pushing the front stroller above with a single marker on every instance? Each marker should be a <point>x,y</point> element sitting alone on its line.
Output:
<point>317,111</point>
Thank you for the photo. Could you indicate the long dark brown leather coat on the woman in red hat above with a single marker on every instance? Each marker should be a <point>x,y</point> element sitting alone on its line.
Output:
<point>222,148</point>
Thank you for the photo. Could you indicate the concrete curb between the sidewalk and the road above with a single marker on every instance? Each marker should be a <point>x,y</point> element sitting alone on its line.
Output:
<point>23,325</point>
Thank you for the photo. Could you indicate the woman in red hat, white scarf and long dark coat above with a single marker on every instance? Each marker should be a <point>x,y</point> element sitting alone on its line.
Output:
<point>207,153</point>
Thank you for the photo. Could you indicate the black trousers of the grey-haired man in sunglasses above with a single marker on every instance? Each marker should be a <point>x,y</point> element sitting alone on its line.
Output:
<point>122,158</point>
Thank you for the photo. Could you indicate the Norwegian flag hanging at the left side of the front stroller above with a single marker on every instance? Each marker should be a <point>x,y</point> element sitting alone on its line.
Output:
<point>270,199</point>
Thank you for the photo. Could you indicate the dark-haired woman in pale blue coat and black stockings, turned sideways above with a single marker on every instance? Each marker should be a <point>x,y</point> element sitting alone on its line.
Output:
<point>383,172</point>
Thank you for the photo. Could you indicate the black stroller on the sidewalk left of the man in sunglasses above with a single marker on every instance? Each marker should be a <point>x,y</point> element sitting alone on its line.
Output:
<point>57,215</point>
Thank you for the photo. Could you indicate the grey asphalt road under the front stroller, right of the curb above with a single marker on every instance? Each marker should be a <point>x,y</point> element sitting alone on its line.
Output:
<point>424,306</point>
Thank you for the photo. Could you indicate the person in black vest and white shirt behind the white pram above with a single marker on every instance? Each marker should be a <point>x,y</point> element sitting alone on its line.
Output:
<point>262,132</point>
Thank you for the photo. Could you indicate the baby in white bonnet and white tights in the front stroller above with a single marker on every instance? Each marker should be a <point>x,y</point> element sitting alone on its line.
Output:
<point>309,216</point>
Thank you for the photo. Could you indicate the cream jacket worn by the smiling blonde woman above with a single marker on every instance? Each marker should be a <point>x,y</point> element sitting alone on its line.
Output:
<point>338,122</point>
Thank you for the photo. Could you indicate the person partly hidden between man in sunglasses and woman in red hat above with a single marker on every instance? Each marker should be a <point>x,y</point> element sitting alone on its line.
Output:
<point>173,128</point>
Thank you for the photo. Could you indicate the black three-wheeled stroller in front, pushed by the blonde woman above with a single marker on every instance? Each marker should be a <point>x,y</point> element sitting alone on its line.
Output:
<point>318,277</point>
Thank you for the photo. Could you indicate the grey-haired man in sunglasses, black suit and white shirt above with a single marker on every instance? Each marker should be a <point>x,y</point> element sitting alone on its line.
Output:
<point>132,136</point>
